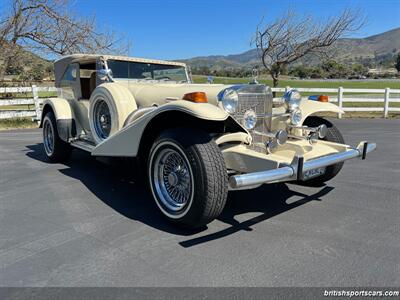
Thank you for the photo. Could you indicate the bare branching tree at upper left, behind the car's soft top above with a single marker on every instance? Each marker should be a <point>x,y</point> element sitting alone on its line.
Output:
<point>50,27</point>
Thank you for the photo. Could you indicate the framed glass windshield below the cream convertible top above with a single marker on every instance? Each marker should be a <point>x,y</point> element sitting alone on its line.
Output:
<point>147,71</point>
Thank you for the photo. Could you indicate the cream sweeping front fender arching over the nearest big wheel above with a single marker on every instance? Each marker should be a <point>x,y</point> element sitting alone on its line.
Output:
<point>127,141</point>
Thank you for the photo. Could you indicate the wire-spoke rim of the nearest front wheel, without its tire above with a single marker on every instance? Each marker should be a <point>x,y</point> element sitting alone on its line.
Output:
<point>172,178</point>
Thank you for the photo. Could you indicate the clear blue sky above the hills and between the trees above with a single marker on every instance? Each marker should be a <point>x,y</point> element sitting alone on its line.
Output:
<point>169,29</point>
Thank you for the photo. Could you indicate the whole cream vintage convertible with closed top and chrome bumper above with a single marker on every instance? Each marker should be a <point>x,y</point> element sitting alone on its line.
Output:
<point>197,141</point>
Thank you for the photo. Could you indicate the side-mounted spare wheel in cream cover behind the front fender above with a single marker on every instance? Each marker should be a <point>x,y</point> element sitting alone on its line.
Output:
<point>110,104</point>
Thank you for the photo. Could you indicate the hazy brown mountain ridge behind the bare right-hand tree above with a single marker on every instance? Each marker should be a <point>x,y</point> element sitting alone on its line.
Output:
<point>349,50</point>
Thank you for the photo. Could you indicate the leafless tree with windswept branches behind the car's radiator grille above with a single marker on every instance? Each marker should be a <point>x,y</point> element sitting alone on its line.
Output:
<point>290,38</point>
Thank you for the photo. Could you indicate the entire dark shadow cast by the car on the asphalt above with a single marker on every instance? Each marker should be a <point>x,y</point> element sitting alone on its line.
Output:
<point>125,191</point>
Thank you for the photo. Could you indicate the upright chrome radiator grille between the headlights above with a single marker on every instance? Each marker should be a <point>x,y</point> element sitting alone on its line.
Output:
<point>258,98</point>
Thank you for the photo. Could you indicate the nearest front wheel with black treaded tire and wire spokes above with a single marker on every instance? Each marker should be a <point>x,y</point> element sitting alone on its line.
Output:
<point>187,176</point>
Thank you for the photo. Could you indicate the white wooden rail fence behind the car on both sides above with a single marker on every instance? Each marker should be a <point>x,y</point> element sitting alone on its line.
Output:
<point>372,96</point>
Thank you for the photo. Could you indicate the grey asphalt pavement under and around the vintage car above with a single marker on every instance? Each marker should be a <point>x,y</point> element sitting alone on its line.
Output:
<point>81,224</point>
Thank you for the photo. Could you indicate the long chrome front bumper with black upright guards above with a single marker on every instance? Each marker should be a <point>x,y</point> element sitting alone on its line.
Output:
<point>298,167</point>
